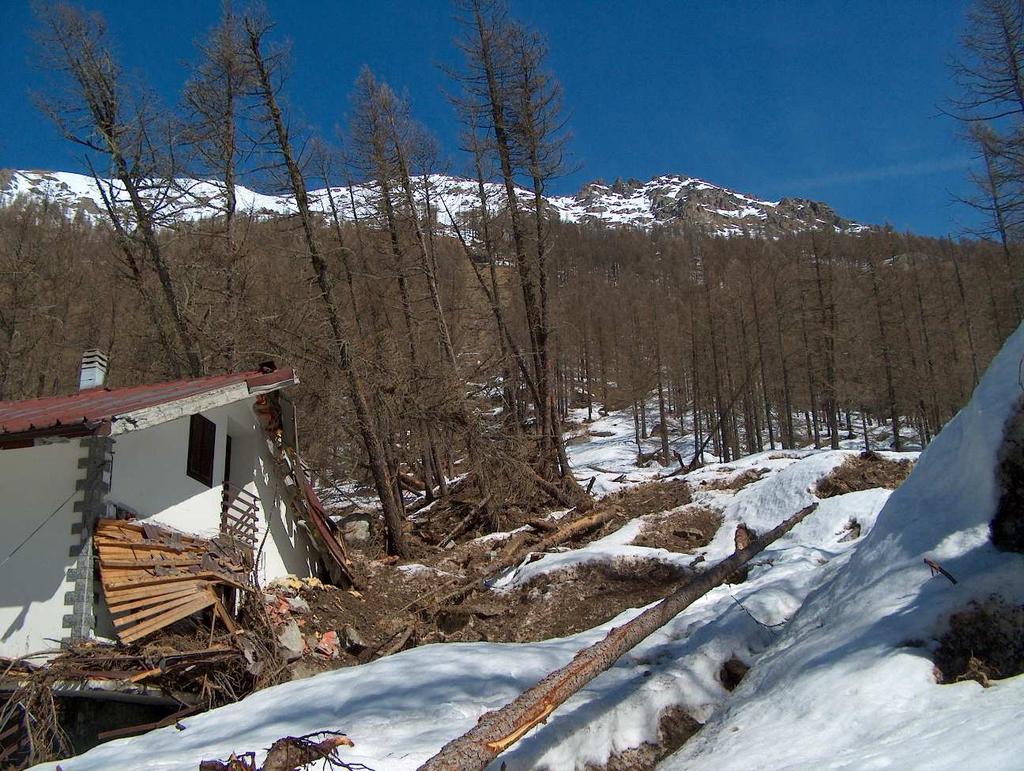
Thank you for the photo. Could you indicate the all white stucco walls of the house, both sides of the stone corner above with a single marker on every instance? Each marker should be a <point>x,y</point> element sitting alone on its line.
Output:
<point>149,478</point>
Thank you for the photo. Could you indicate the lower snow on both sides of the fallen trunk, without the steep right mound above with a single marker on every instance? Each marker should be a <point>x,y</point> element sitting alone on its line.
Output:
<point>401,710</point>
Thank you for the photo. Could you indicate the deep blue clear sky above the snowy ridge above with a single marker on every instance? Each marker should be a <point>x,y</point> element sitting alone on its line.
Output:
<point>834,101</point>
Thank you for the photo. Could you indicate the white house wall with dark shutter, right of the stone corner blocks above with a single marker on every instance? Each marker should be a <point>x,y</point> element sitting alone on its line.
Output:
<point>149,478</point>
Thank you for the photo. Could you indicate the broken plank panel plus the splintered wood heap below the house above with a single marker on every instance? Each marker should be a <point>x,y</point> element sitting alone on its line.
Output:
<point>154,581</point>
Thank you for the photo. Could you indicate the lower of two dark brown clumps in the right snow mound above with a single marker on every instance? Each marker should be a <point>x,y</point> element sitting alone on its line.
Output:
<point>985,642</point>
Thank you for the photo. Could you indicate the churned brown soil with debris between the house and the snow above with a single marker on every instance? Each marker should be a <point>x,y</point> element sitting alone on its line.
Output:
<point>388,616</point>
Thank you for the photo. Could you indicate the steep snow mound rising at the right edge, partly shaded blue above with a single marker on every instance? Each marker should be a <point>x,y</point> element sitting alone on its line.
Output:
<point>851,682</point>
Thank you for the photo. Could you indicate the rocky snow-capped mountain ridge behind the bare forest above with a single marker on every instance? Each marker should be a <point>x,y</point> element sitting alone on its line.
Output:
<point>664,201</point>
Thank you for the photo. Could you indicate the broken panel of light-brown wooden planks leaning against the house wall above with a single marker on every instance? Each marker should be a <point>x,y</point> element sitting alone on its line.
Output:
<point>153,577</point>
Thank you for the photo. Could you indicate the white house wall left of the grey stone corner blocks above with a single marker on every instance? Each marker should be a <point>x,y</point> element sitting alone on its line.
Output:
<point>34,484</point>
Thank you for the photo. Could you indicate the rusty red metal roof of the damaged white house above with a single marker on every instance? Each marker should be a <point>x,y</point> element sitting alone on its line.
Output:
<point>93,411</point>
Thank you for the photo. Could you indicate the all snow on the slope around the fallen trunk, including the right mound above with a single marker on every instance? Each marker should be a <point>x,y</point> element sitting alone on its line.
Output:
<point>840,634</point>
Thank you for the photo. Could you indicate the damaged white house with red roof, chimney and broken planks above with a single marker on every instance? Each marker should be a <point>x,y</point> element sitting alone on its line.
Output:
<point>125,510</point>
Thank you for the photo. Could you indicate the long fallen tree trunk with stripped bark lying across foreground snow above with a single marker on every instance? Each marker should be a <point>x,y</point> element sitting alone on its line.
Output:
<point>498,731</point>
